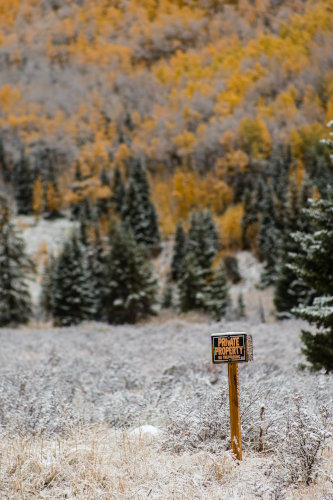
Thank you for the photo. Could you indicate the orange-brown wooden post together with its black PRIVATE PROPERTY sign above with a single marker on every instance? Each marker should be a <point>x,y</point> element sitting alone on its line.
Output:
<point>233,348</point>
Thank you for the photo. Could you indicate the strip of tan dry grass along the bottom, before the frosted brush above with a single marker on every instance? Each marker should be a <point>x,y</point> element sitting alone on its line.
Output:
<point>101,463</point>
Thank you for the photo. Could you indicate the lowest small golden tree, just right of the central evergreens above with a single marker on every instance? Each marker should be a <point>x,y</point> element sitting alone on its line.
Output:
<point>230,225</point>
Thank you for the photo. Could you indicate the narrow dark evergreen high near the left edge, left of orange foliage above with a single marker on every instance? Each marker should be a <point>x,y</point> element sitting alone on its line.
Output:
<point>23,185</point>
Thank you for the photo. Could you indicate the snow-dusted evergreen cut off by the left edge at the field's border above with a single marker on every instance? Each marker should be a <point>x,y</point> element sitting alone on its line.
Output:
<point>15,302</point>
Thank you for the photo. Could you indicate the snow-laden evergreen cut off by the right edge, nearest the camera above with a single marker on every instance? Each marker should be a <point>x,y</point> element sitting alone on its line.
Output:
<point>313,264</point>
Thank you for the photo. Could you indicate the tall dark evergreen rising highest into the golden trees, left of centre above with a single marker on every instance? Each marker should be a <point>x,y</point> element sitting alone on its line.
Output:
<point>139,212</point>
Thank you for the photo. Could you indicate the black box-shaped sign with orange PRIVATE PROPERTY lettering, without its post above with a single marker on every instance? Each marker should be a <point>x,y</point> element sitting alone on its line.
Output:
<point>231,347</point>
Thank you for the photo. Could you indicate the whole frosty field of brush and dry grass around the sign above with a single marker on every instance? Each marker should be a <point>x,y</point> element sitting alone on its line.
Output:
<point>140,412</point>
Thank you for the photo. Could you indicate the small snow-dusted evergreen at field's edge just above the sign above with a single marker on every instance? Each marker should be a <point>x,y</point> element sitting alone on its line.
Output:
<point>217,295</point>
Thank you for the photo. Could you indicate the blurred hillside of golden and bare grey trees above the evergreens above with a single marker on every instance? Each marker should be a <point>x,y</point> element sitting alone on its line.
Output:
<point>208,94</point>
